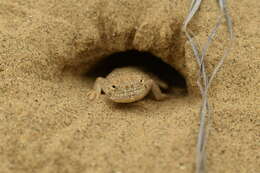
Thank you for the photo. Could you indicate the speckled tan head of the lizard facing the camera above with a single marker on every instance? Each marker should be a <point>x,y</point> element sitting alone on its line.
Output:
<point>127,88</point>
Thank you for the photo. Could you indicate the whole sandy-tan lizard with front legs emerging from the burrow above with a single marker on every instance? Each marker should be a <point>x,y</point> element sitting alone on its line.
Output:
<point>128,84</point>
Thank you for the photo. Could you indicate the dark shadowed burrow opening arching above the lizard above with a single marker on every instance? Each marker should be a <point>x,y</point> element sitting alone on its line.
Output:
<point>145,60</point>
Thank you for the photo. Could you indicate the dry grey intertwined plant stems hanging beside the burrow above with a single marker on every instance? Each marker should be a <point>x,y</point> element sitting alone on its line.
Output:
<point>204,81</point>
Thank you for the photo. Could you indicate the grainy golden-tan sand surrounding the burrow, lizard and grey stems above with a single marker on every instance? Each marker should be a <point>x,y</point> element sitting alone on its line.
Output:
<point>47,124</point>
